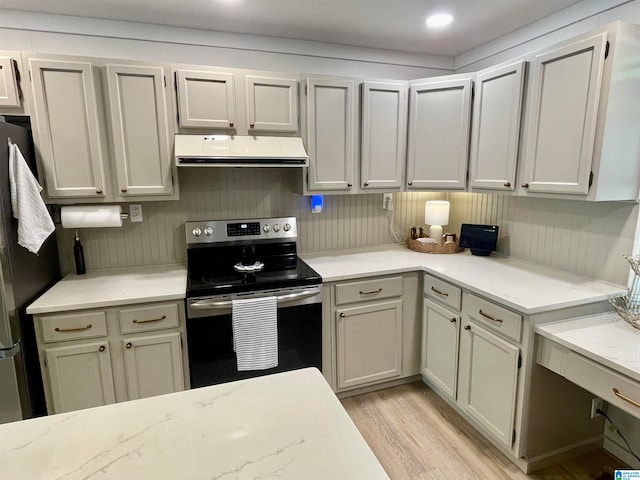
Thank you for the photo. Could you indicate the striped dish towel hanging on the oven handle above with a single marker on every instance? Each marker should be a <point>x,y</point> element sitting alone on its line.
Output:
<point>255,333</point>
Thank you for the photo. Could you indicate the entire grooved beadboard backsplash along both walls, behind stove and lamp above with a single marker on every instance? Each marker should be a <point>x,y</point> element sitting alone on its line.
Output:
<point>585,238</point>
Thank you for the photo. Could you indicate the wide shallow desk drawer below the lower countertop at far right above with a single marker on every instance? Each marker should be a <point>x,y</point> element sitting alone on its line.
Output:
<point>603,382</point>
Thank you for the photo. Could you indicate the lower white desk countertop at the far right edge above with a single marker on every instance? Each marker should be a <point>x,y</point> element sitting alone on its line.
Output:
<point>604,338</point>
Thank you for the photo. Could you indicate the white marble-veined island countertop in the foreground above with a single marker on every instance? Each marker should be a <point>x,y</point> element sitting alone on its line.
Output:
<point>288,425</point>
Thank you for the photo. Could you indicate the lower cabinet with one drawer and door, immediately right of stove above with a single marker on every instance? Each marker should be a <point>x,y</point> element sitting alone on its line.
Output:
<point>373,325</point>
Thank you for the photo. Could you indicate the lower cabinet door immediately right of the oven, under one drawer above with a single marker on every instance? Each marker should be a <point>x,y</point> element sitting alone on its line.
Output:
<point>369,343</point>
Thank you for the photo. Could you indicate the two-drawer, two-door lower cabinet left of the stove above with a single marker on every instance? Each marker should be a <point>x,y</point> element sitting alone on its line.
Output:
<point>97,357</point>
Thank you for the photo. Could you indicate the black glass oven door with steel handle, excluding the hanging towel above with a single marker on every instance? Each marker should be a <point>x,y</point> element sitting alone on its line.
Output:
<point>210,336</point>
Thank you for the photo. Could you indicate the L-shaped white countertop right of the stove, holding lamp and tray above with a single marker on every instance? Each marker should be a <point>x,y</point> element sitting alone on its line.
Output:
<point>523,286</point>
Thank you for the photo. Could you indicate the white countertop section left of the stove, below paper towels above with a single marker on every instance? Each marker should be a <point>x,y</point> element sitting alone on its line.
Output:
<point>110,287</point>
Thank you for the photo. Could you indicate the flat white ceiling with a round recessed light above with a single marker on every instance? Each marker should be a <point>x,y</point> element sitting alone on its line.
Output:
<point>388,24</point>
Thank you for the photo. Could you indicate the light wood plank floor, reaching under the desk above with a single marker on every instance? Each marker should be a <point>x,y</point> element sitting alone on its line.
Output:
<point>416,435</point>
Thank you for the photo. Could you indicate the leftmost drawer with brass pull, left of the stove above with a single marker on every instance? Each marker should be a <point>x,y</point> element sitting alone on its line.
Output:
<point>72,326</point>
